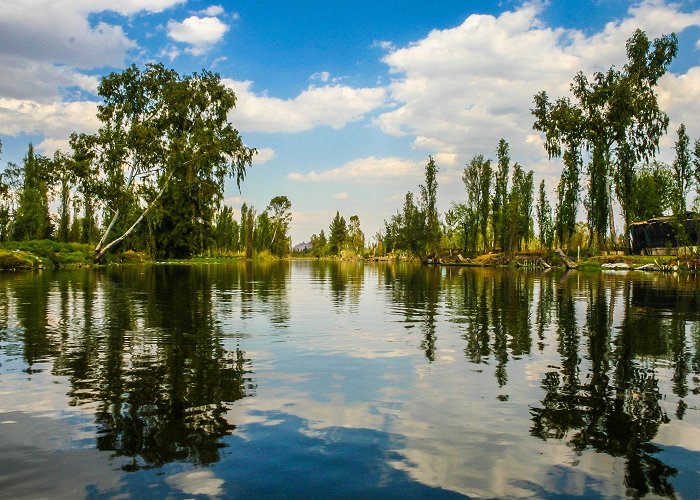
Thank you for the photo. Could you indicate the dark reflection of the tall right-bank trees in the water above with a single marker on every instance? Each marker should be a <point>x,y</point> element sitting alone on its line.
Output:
<point>616,407</point>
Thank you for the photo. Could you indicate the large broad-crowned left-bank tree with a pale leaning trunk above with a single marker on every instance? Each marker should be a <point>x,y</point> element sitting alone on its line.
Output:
<point>165,142</point>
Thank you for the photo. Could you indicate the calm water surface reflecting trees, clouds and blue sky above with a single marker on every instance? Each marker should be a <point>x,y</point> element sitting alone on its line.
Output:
<point>318,379</point>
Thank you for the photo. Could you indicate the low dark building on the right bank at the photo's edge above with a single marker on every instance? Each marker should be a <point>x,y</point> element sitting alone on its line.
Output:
<point>659,236</point>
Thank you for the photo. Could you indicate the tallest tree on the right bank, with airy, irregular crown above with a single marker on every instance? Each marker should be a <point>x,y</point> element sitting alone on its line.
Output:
<point>616,119</point>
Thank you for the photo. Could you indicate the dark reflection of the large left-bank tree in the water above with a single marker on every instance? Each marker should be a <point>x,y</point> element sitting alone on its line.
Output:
<point>148,356</point>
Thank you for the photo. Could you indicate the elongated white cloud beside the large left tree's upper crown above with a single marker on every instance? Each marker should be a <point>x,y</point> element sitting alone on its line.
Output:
<point>333,106</point>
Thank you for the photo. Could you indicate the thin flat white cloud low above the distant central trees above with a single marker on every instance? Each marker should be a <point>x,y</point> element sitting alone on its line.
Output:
<point>362,170</point>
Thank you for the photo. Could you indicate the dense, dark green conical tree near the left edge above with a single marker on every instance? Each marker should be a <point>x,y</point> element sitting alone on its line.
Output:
<point>32,220</point>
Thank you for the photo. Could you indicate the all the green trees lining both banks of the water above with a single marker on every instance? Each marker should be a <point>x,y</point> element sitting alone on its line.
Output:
<point>152,177</point>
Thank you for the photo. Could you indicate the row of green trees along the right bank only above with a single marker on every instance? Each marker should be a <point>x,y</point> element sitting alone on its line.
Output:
<point>607,138</point>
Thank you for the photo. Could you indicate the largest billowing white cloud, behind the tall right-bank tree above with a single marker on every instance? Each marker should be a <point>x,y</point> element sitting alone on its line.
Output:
<point>459,90</point>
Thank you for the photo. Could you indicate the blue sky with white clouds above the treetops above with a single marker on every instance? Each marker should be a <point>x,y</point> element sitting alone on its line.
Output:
<point>344,101</point>
